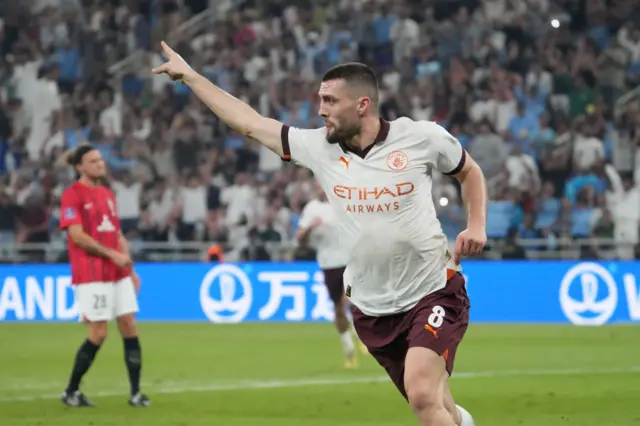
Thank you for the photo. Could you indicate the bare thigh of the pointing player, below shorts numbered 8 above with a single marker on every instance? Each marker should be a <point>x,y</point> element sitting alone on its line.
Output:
<point>425,376</point>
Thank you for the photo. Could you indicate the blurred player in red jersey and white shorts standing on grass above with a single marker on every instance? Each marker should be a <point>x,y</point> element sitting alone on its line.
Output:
<point>102,272</point>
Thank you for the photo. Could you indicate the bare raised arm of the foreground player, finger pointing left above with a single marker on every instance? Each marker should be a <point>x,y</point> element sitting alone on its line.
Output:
<point>235,113</point>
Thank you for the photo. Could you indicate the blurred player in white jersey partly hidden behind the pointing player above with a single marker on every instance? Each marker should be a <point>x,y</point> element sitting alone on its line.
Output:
<point>318,228</point>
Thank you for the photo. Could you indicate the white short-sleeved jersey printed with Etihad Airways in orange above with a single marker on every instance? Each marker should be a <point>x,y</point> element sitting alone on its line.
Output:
<point>397,252</point>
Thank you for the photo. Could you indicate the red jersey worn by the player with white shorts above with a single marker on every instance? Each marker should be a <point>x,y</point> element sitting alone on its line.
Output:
<point>93,207</point>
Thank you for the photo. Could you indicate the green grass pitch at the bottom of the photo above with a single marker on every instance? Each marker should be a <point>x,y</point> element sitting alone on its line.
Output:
<point>292,375</point>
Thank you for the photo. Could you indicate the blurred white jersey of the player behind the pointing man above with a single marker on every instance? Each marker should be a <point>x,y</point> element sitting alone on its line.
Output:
<point>325,238</point>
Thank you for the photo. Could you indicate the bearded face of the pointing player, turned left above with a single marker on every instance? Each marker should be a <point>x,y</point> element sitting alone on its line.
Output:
<point>340,110</point>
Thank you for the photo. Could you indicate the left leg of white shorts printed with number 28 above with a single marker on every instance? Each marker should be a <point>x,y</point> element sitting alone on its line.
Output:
<point>95,301</point>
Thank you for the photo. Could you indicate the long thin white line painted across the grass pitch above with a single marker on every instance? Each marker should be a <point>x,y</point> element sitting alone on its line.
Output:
<point>276,384</point>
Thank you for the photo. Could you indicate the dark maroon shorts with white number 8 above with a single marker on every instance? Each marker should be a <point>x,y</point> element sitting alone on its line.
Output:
<point>438,322</point>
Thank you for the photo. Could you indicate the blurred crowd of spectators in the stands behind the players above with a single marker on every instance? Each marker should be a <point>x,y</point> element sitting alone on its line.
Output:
<point>541,93</point>
